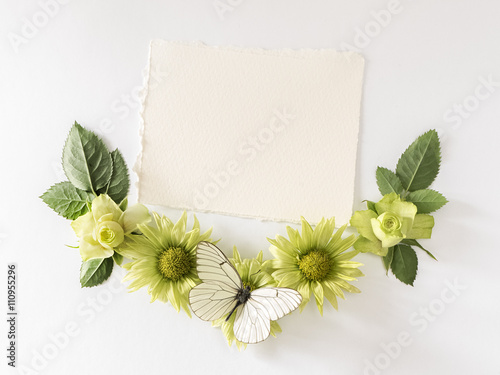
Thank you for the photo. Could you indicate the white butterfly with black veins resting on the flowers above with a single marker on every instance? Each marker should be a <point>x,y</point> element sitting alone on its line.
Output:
<point>222,292</point>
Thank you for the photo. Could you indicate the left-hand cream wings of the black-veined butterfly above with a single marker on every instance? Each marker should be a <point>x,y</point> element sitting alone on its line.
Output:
<point>215,297</point>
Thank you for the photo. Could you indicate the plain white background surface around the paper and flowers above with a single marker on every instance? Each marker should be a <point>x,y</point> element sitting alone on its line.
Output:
<point>85,63</point>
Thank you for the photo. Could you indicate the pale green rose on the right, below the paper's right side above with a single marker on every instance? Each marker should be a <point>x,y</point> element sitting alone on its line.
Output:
<point>391,221</point>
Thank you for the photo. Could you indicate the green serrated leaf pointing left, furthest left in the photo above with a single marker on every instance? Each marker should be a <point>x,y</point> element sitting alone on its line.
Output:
<point>67,200</point>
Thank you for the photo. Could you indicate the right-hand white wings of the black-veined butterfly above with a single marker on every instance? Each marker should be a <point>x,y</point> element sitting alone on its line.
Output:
<point>253,319</point>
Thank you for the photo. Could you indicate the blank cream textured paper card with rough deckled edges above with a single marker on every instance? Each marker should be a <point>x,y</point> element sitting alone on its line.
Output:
<point>268,134</point>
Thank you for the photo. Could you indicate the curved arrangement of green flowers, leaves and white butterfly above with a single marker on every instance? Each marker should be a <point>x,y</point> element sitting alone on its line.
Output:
<point>244,297</point>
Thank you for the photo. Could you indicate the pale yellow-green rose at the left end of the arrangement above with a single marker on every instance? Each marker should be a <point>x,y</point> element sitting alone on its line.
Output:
<point>103,229</point>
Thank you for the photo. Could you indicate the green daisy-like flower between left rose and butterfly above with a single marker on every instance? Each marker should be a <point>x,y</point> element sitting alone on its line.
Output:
<point>164,259</point>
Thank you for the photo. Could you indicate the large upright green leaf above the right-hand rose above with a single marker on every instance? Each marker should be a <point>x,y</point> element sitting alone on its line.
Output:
<point>419,165</point>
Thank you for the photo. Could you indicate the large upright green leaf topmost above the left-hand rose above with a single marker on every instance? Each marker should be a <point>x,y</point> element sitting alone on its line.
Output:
<point>86,160</point>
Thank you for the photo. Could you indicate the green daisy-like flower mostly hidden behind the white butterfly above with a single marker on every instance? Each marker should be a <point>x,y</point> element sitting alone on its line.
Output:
<point>256,274</point>
